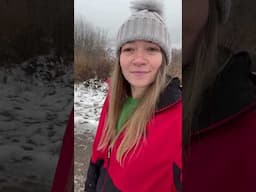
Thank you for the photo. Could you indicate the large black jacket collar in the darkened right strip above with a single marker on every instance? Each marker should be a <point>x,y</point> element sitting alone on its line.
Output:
<point>231,94</point>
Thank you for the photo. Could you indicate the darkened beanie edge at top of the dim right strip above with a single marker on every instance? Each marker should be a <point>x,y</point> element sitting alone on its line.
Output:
<point>224,7</point>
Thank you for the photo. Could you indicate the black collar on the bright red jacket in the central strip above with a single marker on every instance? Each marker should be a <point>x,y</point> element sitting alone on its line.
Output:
<point>170,95</point>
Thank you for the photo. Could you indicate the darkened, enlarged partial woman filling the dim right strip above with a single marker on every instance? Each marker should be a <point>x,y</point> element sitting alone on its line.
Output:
<point>219,119</point>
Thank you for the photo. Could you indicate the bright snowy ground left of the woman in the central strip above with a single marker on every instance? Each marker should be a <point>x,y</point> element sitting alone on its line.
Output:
<point>88,100</point>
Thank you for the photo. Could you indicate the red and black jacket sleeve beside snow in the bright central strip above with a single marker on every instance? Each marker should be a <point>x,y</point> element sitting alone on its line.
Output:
<point>97,158</point>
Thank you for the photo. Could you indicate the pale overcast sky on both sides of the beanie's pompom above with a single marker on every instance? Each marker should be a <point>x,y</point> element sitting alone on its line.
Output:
<point>110,14</point>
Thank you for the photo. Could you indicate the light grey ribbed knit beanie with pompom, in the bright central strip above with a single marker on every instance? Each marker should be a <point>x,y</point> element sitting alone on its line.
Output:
<point>146,23</point>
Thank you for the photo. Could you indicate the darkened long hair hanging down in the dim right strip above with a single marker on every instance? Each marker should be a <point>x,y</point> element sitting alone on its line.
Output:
<point>201,75</point>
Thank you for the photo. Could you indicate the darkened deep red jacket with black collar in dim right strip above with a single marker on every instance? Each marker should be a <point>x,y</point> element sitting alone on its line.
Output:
<point>222,156</point>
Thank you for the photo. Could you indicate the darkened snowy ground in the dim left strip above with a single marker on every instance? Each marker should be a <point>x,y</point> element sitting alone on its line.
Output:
<point>33,117</point>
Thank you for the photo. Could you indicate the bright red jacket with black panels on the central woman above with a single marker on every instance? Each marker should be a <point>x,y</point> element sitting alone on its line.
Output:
<point>157,165</point>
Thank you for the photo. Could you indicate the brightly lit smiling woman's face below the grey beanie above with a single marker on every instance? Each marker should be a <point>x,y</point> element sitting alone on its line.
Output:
<point>140,62</point>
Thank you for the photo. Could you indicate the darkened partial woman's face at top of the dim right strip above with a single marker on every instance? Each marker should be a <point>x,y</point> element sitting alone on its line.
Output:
<point>194,19</point>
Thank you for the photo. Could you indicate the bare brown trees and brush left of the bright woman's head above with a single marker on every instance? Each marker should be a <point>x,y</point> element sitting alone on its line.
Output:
<point>92,58</point>
